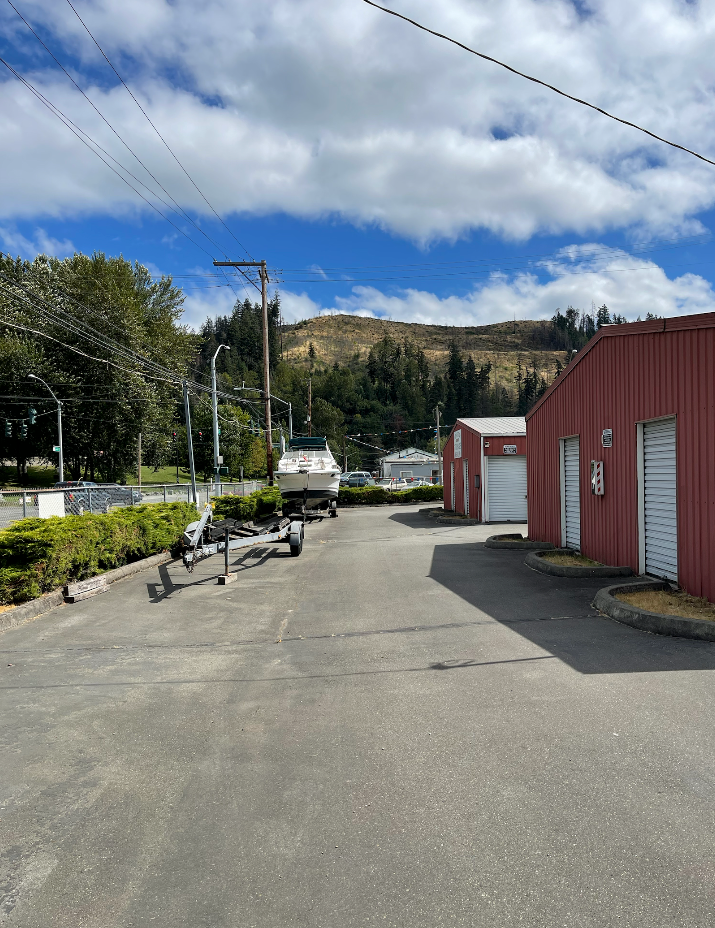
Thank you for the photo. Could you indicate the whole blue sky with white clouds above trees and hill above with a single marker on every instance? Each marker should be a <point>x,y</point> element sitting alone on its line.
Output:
<point>379,170</point>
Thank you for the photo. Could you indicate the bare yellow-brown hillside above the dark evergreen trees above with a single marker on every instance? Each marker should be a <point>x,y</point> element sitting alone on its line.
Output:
<point>342,338</point>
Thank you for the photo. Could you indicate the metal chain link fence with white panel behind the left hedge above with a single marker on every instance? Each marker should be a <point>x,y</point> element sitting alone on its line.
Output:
<point>43,503</point>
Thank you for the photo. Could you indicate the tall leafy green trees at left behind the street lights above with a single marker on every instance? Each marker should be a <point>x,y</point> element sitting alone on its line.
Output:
<point>56,321</point>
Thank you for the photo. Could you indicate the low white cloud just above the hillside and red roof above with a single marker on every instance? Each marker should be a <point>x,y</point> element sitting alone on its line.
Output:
<point>628,286</point>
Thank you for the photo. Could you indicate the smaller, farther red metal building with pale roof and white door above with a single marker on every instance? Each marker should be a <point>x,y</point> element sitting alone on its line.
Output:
<point>484,469</point>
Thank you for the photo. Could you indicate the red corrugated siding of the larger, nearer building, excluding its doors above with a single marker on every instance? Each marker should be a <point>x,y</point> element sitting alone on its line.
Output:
<point>624,379</point>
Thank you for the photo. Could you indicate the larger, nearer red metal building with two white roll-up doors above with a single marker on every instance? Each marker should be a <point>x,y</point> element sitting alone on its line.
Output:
<point>622,451</point>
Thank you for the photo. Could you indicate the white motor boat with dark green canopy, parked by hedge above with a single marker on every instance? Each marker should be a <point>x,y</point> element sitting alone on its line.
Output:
<point>307,475</point>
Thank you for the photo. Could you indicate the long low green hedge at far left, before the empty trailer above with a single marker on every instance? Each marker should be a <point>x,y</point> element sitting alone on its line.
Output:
<point>39,555</point>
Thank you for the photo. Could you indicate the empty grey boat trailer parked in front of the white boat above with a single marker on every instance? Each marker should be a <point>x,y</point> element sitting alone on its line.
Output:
<point>205,538</point>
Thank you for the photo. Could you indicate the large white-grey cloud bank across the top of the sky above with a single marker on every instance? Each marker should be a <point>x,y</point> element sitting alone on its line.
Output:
<point>315,109</point>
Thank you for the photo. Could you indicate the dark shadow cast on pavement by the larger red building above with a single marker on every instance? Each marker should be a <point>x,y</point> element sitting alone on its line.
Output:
<point>499,584</point>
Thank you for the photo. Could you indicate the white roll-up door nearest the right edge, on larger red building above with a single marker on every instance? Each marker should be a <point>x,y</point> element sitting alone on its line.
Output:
<point>661,524</point>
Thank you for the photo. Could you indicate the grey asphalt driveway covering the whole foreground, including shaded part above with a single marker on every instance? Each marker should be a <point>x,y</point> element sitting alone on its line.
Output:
<point>401,727</point>
